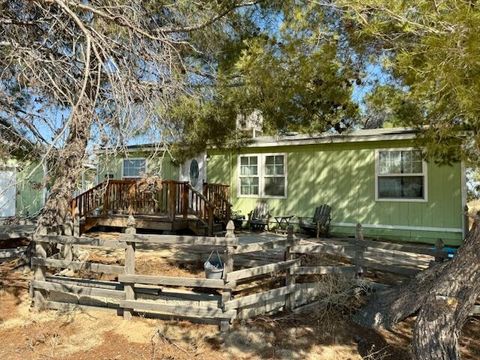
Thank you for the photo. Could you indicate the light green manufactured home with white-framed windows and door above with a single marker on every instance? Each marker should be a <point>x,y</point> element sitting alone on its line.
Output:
<point>373,177</point>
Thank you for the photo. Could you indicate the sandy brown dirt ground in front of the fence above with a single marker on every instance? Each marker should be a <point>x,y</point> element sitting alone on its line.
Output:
<point>96,334</point>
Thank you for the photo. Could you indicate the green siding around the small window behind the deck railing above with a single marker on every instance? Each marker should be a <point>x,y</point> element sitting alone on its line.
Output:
<point>158,164</point>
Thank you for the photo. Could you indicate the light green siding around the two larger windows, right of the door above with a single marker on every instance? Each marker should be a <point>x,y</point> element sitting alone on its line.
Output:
<point>343,175</point>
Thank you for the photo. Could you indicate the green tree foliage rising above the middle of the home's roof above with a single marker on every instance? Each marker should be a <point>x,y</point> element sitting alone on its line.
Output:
<point>293,69</point>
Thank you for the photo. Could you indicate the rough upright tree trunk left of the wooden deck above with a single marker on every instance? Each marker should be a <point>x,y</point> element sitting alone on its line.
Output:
<point>66,170</point>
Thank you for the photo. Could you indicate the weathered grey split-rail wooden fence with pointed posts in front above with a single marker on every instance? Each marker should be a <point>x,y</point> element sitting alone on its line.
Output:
<point>239,294</point>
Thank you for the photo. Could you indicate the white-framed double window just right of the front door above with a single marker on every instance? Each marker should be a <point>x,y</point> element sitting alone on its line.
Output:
<point>262,175</point>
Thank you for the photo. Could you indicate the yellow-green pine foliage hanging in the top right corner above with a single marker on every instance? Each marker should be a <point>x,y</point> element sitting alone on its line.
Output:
<point>432,50</point>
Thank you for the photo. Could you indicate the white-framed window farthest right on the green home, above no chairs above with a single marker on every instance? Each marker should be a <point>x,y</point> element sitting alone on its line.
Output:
<point>401,175</point>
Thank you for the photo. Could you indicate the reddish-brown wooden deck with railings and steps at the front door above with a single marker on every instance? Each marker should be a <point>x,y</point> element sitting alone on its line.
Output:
<point>164,205</point>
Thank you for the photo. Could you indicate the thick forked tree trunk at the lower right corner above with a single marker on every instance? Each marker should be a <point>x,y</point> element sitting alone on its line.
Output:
<point>444,296</point>
